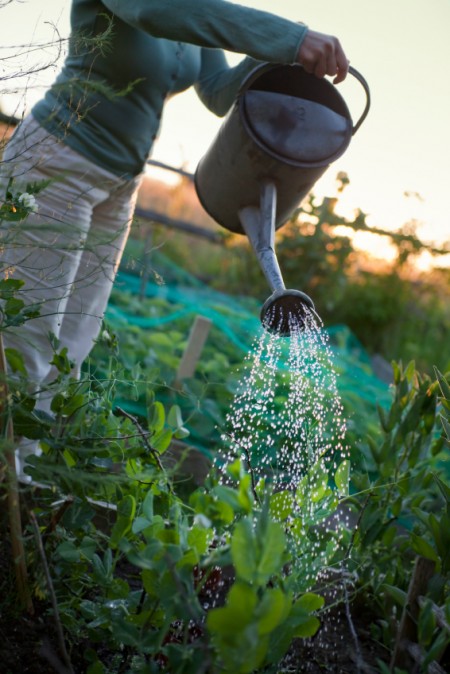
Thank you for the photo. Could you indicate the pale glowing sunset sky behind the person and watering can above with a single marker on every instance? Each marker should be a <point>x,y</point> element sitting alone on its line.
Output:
<point>402,47</point>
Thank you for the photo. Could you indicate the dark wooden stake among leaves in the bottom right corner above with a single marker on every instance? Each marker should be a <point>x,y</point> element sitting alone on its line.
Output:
<point>407,631</point>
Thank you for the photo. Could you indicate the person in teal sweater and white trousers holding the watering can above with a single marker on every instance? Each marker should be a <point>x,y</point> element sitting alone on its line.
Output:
<point>91,135</point>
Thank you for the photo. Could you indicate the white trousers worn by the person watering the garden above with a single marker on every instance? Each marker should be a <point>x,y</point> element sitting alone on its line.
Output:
<point>68,252</point>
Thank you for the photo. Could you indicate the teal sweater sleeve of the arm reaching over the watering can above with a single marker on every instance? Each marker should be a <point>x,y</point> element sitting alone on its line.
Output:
<point>217,24</point>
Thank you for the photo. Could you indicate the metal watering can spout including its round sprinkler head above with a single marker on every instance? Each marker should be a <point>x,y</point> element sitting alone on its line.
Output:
<point>285,310</point>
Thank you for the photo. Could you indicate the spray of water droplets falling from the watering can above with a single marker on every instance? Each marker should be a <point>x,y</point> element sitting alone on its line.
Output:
<point>287,426</point>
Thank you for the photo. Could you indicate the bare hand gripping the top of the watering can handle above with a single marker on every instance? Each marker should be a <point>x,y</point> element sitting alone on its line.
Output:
<point>322,55</point>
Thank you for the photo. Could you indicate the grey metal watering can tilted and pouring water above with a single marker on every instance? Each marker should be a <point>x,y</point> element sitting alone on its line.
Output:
<point>284,130</point>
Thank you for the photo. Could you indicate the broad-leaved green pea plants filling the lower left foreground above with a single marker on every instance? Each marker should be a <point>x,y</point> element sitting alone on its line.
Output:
<point>155,581</point>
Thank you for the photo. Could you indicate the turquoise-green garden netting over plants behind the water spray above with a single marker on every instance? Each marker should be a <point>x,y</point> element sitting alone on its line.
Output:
<point>152,320</point>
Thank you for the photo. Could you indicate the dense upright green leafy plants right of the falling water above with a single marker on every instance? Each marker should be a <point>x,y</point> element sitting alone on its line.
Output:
<point>403,511</point>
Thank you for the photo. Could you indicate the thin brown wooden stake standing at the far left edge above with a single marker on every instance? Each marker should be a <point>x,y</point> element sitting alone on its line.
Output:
<point>12,487</point>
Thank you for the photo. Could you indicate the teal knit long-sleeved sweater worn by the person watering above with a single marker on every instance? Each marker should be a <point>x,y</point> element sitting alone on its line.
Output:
<point>107,101</point>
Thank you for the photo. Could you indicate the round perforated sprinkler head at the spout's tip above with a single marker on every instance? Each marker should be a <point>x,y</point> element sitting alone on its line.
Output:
<point>285,311</point>
